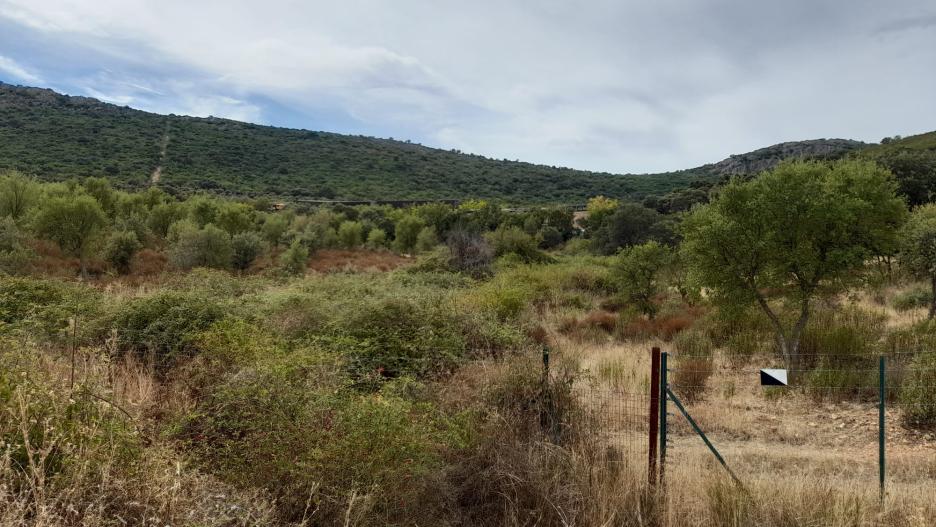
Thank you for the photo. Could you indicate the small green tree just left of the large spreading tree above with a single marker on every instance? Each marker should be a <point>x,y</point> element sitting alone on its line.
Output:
<point>638,270</point>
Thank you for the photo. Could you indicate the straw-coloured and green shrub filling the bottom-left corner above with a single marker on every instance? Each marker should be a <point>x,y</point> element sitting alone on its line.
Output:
<point>68,459</point>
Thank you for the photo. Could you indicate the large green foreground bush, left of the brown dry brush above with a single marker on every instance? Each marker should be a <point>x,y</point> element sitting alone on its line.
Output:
<point>282,425</point>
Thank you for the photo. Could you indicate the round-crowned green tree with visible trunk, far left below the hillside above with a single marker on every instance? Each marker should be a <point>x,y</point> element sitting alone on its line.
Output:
<point>74,222</point>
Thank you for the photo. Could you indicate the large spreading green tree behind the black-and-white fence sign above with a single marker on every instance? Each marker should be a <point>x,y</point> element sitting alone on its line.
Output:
<point>797,231</point>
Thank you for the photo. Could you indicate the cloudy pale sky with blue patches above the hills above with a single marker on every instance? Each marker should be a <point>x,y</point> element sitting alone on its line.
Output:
<point>620,86</point>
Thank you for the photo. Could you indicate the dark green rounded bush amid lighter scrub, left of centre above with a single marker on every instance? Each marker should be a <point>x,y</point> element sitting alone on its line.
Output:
<point>165,325</point>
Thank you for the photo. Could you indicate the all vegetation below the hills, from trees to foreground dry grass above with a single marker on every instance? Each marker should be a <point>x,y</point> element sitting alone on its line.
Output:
<point>219,364</point>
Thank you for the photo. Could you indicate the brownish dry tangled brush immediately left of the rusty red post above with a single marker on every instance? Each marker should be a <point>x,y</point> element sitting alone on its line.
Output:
<point>517,474</point>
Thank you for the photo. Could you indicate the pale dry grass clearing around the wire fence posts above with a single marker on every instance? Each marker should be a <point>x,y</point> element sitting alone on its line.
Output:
<point>802,461</point>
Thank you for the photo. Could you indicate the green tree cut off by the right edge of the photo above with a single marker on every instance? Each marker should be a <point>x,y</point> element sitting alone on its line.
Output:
<point>918,248</point>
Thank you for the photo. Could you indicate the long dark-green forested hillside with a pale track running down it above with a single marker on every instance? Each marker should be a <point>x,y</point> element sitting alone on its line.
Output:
<point>56,137</point>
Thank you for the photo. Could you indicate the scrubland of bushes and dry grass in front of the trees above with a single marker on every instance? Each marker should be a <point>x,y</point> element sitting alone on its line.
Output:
<point>408,396</point>
